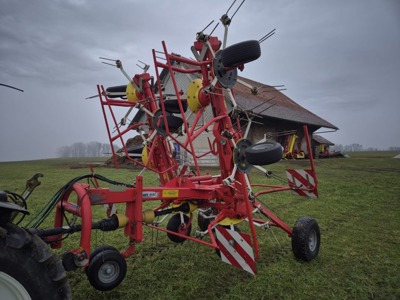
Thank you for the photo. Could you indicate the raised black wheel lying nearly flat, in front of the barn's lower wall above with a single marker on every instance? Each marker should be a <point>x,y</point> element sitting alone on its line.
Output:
<point>264,153</point>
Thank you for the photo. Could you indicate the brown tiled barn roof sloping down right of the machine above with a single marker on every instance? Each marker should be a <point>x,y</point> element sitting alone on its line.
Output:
<point>270,102</point>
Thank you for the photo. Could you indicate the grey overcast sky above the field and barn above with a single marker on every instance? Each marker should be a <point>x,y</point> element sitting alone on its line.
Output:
<point>339,59</point>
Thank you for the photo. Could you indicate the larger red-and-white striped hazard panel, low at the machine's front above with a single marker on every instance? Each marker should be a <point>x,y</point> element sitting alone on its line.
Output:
<point>235,248</point>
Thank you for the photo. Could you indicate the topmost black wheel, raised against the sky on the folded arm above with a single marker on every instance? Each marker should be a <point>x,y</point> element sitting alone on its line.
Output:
<point>241,53</point>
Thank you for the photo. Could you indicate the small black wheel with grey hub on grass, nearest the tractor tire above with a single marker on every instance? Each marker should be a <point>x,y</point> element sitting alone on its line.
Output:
<point>106,269</point>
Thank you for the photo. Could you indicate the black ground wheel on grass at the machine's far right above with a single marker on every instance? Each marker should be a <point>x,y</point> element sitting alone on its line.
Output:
<point>306,239</point>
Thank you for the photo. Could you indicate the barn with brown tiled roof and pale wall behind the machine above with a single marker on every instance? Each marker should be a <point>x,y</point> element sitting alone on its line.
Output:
<point>273,114</point>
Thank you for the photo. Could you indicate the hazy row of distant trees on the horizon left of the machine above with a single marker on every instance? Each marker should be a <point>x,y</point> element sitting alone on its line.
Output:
<point>91,149</point>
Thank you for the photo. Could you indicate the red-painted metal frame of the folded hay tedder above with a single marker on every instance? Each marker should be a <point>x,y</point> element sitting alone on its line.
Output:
<point>230,200</point>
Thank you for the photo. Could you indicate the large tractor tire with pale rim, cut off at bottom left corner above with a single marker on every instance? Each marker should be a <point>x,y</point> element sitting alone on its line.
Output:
<point>28,268</point>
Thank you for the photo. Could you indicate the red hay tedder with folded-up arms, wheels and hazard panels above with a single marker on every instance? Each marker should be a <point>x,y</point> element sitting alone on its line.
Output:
<point>170,116</point>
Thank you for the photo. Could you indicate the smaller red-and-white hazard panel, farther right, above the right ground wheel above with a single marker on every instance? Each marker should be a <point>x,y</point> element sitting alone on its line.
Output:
<point>303,182</point>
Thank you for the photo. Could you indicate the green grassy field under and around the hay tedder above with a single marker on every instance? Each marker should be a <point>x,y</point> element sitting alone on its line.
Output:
<point>358,211</point>
